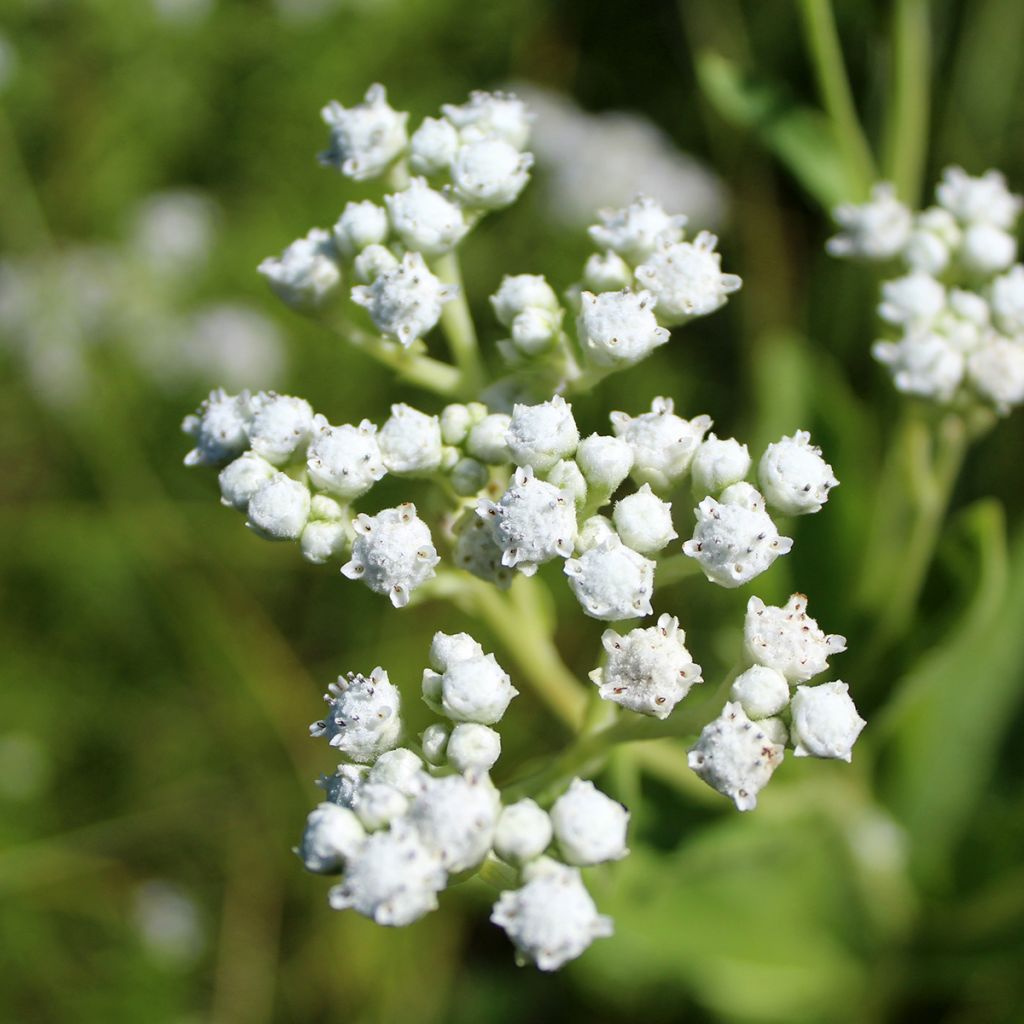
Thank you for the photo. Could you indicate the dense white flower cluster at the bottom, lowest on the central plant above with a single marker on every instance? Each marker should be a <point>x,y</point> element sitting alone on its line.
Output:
<point>399,823</point>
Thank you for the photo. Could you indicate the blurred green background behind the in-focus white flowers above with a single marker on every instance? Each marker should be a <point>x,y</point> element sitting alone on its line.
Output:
<point>160,666</point>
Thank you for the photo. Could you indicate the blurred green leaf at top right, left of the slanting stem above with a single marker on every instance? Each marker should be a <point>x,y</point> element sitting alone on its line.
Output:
<point>800,137</point>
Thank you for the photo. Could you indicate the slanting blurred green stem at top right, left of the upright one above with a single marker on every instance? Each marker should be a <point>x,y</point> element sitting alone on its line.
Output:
<point>827,57</point>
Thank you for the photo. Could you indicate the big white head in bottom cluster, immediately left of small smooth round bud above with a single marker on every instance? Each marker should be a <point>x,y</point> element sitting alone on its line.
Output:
<point>456,816</point>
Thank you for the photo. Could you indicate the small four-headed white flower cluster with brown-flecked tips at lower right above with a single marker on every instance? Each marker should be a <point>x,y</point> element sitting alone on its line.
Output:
<point>738,753</point>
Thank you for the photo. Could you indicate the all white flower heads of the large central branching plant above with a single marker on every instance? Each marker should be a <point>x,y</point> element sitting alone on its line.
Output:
<point>406,817</point>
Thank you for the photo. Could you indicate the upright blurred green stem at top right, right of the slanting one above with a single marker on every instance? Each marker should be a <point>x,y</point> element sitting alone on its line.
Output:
<point>907,127</point>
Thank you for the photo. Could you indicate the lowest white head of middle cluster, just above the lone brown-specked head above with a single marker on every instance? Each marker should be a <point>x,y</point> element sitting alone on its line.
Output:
<point>613,582</point>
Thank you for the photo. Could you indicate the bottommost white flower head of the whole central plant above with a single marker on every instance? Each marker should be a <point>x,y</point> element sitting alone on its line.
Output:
<point>552,919</point>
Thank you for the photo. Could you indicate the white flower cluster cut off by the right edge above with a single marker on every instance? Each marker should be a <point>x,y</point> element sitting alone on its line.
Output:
<point>958,307</point>
